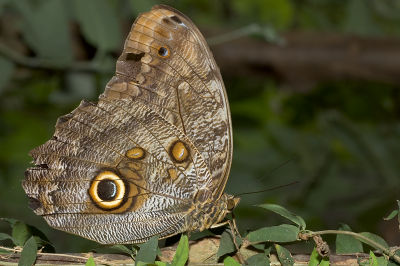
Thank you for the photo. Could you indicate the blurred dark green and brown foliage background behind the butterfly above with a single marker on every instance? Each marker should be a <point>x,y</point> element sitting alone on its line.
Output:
<point>313,87</point>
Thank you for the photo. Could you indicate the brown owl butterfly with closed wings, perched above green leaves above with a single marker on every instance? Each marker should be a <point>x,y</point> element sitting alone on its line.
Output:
<point>153,155</point>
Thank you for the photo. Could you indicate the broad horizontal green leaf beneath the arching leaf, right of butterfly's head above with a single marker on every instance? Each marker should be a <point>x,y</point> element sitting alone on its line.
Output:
<point>279,233</point>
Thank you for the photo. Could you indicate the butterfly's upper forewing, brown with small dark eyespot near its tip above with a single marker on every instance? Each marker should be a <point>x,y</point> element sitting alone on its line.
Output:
<point>185,87</point>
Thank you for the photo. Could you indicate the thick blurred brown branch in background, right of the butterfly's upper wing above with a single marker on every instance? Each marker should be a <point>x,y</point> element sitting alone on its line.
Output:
<point>308,58</point>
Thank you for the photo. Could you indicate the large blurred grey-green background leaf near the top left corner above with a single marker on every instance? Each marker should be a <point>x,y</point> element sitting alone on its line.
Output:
<point>45,28</point>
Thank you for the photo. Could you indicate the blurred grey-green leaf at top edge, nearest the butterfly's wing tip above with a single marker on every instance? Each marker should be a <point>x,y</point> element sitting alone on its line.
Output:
<point>99,22</point>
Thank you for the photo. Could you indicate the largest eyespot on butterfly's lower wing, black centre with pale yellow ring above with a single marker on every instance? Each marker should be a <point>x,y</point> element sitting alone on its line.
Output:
<point>107,190</point>
